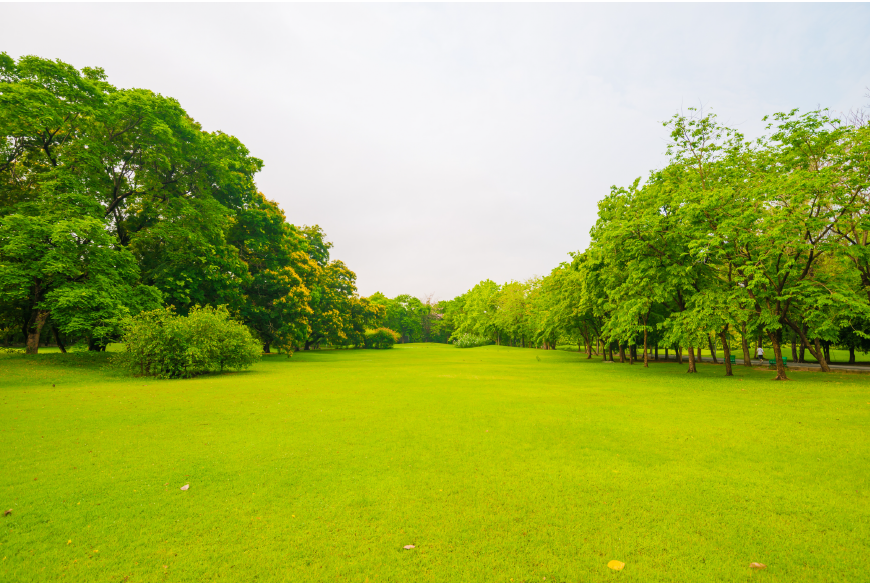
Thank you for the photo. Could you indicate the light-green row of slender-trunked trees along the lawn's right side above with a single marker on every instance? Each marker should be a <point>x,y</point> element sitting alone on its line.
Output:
<point>733,240</point>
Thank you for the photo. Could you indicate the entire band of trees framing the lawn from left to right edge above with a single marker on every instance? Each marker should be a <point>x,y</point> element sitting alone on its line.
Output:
<point>115,202</point>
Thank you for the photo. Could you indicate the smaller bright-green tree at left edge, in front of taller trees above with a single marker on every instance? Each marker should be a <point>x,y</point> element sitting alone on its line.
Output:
<point>64,265</point>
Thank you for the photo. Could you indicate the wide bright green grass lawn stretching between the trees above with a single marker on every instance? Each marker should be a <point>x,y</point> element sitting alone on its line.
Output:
<point>498,464</point>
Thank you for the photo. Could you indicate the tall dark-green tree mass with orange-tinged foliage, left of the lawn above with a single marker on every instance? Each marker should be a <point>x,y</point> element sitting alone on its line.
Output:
<point>115,202</point>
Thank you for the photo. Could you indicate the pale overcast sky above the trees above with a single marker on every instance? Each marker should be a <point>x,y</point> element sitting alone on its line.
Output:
<point>439,145</point>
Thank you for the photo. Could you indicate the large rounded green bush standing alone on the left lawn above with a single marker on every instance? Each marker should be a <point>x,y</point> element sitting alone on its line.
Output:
<point>163,344</point>
